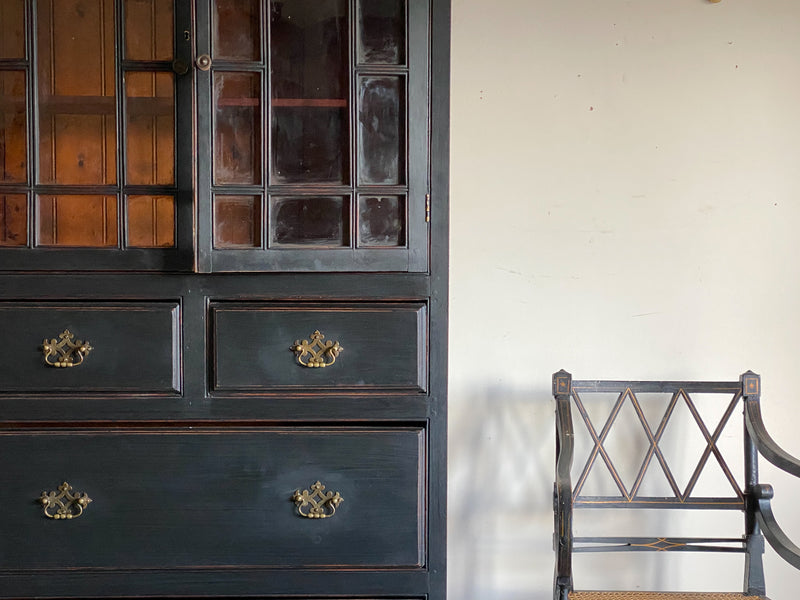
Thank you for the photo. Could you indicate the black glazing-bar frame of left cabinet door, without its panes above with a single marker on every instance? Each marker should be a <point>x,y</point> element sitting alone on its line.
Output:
<point>117,257</point>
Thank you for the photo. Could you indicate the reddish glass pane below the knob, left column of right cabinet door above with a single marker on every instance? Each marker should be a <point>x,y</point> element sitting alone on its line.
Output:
<point>237,131</point>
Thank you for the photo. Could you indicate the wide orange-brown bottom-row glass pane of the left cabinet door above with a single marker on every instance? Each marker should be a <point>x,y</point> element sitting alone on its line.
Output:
<point>82,221</point>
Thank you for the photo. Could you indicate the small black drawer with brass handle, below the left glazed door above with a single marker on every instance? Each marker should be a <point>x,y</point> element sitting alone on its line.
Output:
<point>132,347</point>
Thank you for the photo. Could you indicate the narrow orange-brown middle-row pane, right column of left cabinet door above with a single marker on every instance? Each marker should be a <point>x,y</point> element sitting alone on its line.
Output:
<point>150,142</point>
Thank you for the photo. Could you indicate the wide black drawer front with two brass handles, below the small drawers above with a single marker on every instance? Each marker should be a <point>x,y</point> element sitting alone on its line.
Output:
<point>214,497</point>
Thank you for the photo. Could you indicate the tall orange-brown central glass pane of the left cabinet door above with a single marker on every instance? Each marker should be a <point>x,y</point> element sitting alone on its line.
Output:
<point>76,92</point>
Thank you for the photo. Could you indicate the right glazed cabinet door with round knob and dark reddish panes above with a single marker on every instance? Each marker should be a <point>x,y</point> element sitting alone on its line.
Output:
<point>313,135</point>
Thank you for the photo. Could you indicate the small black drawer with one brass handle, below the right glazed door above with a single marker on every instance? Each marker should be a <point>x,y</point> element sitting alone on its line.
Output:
<point>308,348</point>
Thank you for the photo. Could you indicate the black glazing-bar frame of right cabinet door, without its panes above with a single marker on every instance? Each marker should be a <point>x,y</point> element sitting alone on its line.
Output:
<point>413,256</point>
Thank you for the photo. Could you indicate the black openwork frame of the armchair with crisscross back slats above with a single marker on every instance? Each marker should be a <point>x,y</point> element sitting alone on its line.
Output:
<point>753,498</point>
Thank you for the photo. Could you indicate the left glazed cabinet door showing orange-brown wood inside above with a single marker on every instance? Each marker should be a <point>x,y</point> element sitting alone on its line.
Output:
<point>94,135</point>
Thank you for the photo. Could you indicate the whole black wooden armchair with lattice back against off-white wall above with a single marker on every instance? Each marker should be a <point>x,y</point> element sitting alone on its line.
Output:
<point>750,497</point>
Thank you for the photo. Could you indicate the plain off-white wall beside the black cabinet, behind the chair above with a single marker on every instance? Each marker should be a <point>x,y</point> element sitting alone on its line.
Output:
<point>624,203</point>
